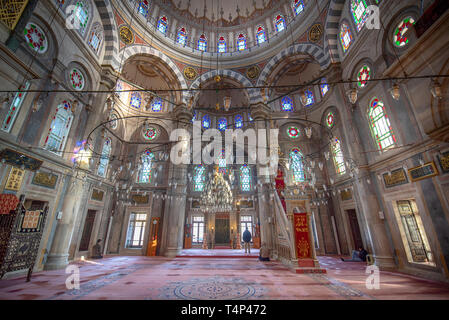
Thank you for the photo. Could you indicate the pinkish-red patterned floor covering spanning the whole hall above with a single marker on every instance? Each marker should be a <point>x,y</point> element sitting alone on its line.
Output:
<point>223,277</point>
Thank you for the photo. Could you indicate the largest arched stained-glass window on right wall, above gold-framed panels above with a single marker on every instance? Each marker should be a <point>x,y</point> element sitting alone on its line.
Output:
<point>380,125</point>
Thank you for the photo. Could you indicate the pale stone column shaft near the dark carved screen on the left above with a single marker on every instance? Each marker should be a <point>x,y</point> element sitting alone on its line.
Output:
<point>59,252</point>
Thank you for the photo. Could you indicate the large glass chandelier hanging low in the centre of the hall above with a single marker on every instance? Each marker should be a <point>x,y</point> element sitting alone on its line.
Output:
<point>217,195</point>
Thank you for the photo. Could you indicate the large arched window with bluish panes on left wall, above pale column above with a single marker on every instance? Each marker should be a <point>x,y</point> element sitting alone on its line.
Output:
<point>59,128</point>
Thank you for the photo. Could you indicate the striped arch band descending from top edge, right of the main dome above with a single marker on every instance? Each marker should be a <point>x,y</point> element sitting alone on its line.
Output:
<point>332,29</point>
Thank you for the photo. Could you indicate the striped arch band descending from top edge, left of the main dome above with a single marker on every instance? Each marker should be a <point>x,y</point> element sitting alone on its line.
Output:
<point>111,39</point>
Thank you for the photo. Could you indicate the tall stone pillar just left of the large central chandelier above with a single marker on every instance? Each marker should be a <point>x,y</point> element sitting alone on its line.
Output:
<point>176,208</point>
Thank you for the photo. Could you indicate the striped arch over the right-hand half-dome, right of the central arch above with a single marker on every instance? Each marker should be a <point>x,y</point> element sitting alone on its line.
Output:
<point>311,49</point>
